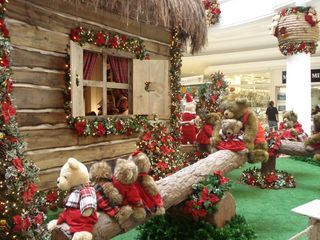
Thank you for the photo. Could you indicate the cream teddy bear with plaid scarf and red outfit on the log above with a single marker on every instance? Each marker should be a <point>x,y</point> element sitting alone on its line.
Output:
<point>79,216</point>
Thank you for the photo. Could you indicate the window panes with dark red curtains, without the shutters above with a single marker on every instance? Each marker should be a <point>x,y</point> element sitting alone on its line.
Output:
<point>106,82</point>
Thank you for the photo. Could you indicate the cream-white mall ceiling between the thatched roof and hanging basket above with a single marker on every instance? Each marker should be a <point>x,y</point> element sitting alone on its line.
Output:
<point>243,48</point>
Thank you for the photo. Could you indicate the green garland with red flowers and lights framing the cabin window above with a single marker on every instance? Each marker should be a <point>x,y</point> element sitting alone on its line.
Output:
<point>100,126</point>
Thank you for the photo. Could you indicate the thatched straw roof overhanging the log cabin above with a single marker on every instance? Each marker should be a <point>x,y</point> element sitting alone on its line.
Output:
<point>189,14</point>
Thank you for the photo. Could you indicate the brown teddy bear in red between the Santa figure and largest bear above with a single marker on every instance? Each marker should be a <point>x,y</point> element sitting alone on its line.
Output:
<point>205,134</point>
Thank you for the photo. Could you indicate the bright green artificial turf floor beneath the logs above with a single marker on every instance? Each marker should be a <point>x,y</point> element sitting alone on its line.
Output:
<point>269,211</point>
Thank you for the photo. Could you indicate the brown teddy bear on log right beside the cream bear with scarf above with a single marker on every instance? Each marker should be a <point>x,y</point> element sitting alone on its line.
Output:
<point>108,197</point>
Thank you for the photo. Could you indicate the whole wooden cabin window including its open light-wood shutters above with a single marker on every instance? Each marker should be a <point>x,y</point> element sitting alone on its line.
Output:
<point>109,82</point>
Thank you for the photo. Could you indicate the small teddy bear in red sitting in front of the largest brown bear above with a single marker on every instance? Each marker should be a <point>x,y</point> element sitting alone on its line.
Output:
<point>230,136</point>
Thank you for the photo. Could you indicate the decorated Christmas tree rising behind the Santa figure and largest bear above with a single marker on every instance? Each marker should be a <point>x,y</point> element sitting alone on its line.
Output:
<point>211,93</point>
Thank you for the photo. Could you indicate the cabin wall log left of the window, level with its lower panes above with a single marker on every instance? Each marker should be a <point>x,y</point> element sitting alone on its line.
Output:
<point>33,98</point>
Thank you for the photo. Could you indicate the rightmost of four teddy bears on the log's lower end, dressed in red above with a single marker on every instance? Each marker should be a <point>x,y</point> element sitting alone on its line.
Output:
<point>148,189</point>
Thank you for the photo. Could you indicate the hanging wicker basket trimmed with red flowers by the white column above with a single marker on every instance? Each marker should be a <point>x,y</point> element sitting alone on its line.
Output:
<point>297,30</point>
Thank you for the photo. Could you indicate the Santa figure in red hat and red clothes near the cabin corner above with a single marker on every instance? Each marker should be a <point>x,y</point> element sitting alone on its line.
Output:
<point>189,117</point>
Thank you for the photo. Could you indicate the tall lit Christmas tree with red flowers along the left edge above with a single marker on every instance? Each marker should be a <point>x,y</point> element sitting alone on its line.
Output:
<point>20,217</point>
